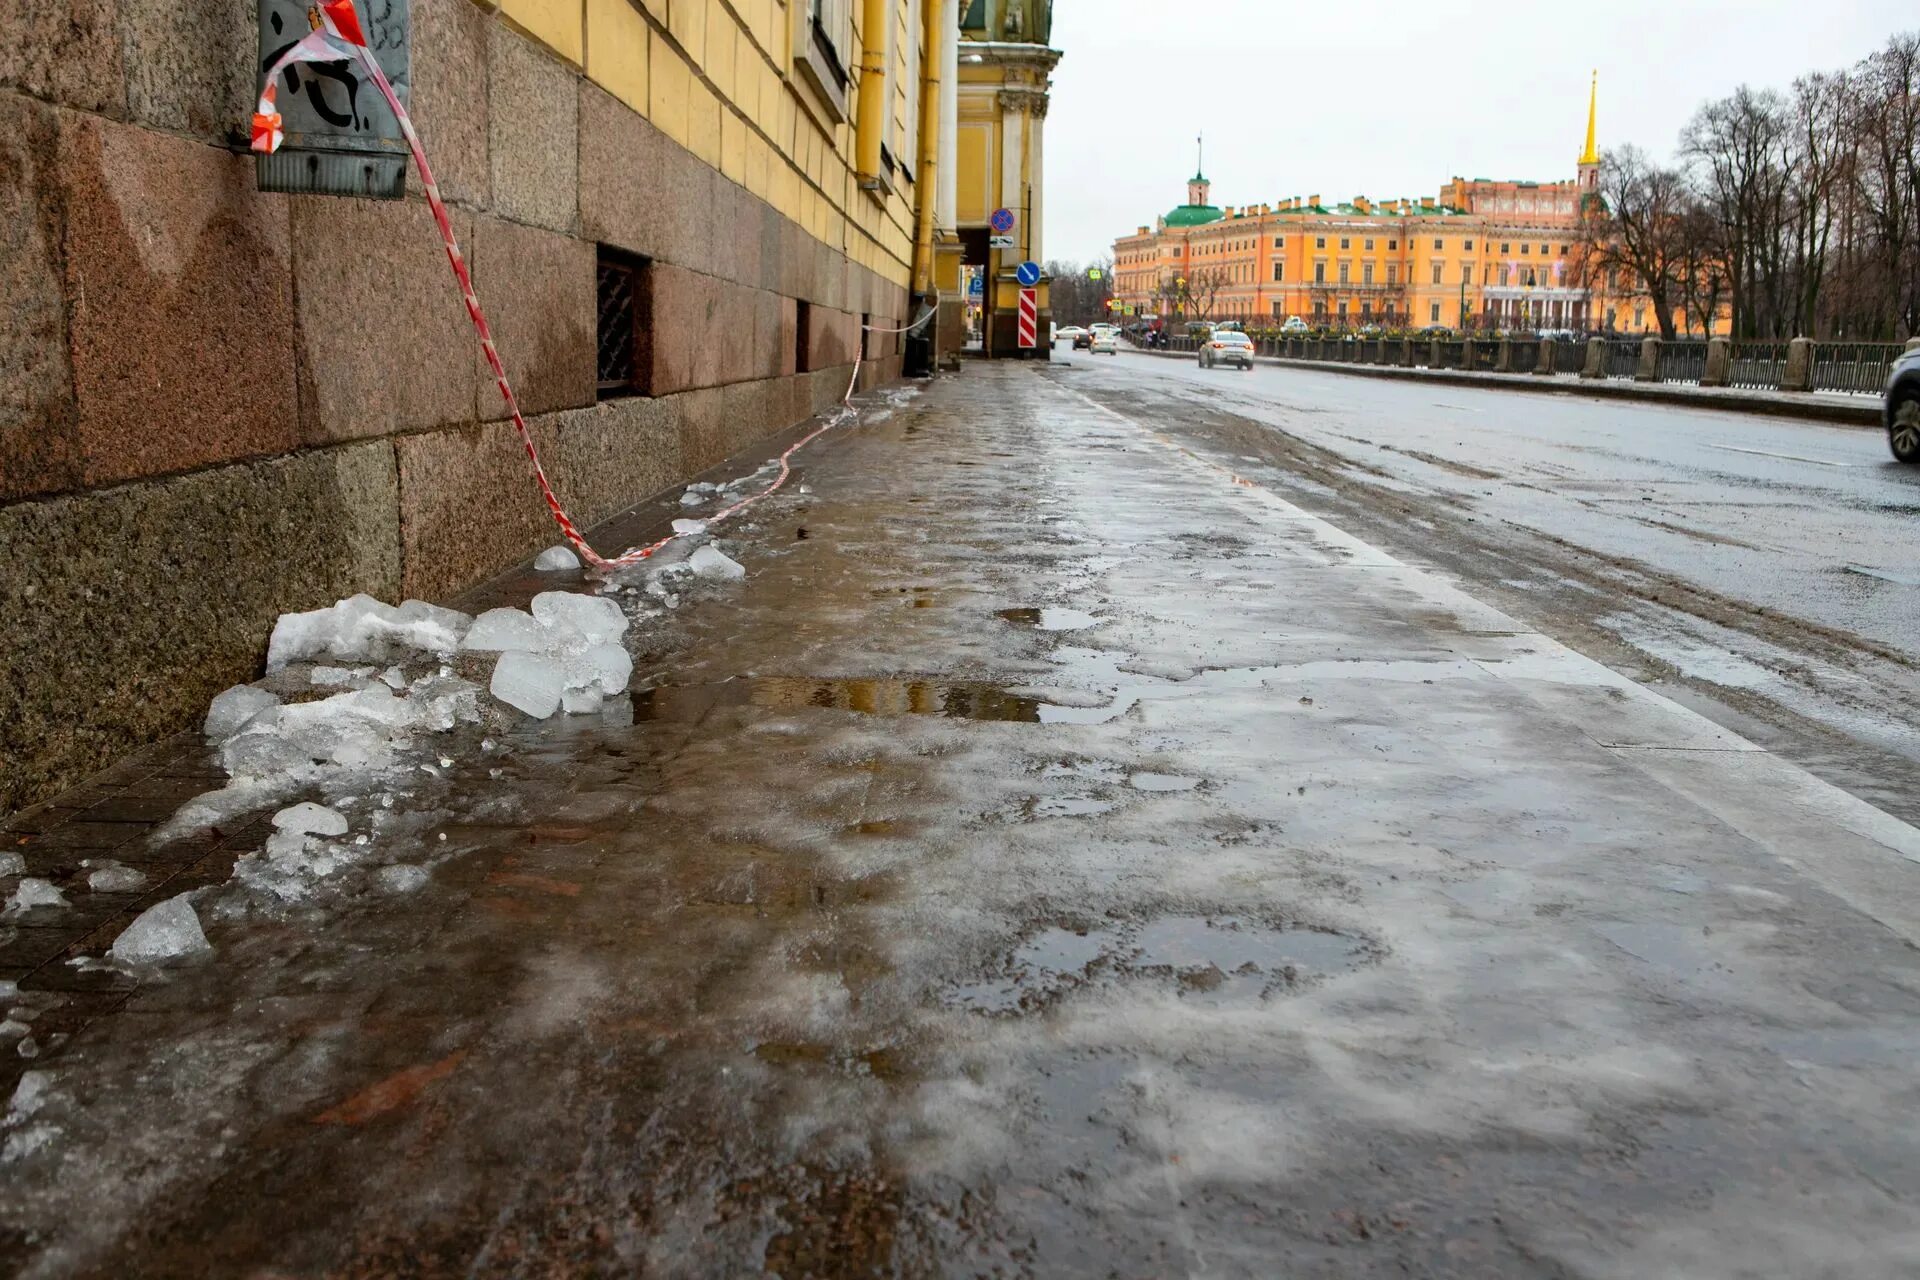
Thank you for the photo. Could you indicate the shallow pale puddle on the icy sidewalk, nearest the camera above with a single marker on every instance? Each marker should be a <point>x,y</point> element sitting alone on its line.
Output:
<point>1209,959</point>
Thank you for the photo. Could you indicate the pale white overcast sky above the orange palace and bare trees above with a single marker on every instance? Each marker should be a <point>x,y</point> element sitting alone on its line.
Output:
<point>1393,99</point>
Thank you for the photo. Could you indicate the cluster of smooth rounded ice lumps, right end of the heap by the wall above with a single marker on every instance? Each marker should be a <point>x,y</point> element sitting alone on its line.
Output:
<point>564,655</point>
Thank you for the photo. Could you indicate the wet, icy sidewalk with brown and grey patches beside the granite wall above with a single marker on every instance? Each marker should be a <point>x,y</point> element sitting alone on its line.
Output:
<point>1061,857</point>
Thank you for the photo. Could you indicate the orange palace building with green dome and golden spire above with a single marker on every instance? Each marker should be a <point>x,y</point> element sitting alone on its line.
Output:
<point>1485,254</point>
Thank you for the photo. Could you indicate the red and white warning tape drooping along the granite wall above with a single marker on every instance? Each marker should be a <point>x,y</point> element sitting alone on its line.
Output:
<point>341,39</point>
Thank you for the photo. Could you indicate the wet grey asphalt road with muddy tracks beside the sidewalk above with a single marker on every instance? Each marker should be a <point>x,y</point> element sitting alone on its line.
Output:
<point>1762,571</point>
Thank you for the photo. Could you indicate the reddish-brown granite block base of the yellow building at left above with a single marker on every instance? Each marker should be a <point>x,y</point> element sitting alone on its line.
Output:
<point>218,406</point>
